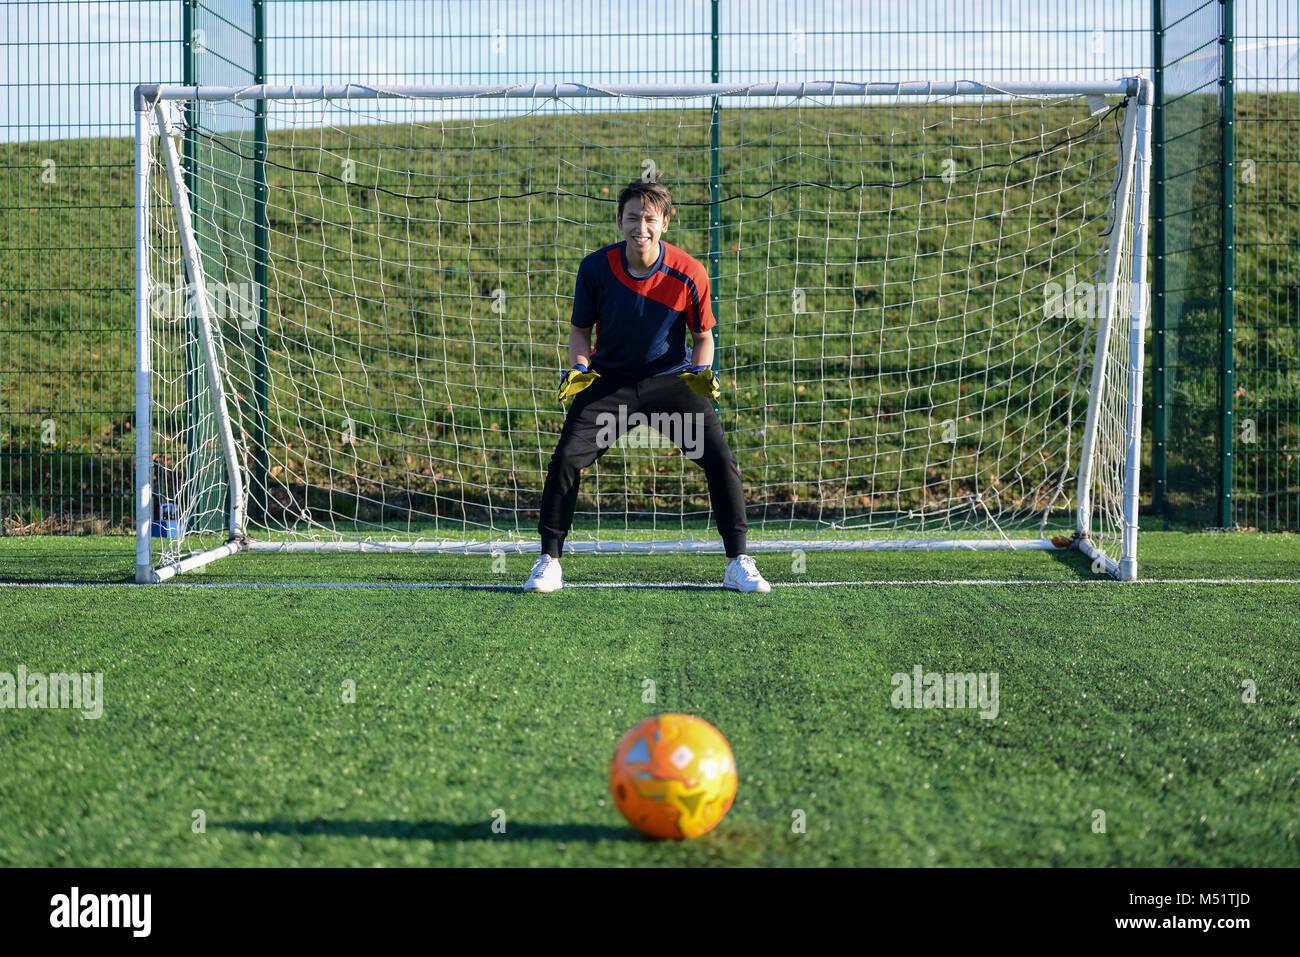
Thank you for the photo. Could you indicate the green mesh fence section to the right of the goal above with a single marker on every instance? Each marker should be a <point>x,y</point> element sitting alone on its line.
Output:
<point>1227,400</point>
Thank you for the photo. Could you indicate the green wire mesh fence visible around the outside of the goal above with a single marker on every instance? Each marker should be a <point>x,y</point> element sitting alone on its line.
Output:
<point>1224,408</point>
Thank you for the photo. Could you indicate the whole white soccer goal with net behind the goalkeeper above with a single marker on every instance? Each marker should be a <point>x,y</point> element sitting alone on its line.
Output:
<point>933,301</point>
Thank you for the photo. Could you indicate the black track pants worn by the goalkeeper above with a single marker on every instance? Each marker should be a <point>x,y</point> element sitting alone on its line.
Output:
<point>597,419</point>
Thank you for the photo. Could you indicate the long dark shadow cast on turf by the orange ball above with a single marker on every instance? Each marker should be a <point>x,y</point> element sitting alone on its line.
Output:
<point>436,830</point>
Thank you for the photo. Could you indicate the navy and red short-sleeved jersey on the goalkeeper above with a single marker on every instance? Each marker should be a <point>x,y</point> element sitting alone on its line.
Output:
<point>642,323</point>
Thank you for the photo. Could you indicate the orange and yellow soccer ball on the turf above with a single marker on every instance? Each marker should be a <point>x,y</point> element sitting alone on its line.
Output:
<point>674,777</point>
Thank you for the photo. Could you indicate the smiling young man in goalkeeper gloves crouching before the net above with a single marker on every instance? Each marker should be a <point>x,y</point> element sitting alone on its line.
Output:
<point>642,296</point>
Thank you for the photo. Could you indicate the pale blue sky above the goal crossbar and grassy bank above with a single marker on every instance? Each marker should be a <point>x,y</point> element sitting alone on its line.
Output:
<point>71,67</point>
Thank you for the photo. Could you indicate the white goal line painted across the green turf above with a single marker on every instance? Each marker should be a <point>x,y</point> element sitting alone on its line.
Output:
<point>652,584</point>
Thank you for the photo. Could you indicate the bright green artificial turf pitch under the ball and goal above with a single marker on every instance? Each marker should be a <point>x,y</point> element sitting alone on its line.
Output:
<point>1117,699</point>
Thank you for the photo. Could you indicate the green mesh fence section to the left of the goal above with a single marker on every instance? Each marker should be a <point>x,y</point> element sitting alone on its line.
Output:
<point>67,279</point>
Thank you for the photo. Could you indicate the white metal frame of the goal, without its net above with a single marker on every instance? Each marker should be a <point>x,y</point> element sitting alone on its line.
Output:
<point>153,110</point>
